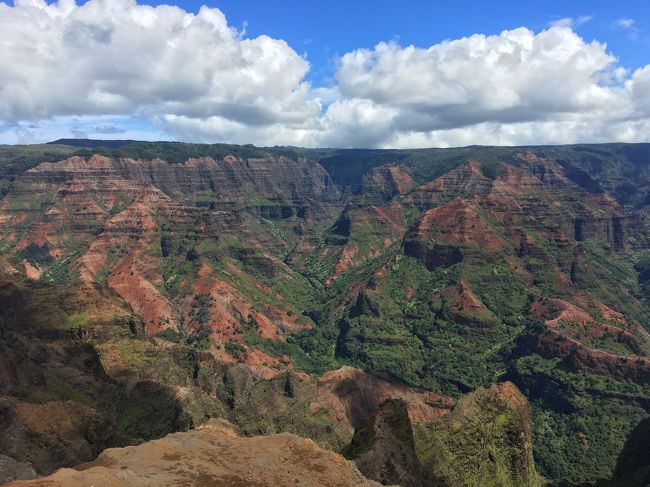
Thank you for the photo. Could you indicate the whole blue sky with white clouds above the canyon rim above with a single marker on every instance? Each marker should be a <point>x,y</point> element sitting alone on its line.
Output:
<point>326,74</point>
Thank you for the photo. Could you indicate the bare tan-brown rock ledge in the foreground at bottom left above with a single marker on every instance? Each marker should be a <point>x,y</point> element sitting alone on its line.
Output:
<point>213,455</point>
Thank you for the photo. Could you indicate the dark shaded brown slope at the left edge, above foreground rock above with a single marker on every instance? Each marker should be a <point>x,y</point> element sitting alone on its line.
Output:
<point>58,406</point>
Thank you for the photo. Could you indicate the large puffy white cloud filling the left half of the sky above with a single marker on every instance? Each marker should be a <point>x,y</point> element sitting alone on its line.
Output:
<point>118,57</point>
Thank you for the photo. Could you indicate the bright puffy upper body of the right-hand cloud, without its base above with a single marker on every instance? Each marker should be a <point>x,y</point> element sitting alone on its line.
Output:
<point>516,75</point>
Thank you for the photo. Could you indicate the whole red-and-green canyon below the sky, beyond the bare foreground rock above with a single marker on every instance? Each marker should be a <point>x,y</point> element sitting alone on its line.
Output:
<point>317,291</point>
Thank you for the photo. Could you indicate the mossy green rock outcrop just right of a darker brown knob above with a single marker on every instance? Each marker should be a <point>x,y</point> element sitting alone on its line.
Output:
<point>485,440</point>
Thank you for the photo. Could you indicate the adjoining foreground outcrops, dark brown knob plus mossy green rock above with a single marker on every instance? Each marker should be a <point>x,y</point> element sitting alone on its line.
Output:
<point>485,440</point>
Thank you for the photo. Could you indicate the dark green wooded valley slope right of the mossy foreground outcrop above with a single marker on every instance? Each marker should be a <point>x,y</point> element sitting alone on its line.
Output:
<point>580,419</point>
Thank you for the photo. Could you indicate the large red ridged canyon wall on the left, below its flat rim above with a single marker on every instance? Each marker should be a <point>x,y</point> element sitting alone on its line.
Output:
<point>131,225</point>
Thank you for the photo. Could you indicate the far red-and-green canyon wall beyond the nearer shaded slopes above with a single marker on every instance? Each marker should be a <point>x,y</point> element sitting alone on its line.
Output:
<point>448,269</point>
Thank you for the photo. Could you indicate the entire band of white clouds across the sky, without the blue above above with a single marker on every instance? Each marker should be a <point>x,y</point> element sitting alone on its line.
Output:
<point>196,78</point>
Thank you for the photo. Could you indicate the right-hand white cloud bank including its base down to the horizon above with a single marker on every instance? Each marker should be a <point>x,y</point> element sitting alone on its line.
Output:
<point>515,87</point>
